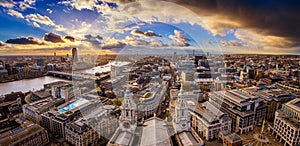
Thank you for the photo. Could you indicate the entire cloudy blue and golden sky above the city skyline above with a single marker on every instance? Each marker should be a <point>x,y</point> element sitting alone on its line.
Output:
<point>42,27</point>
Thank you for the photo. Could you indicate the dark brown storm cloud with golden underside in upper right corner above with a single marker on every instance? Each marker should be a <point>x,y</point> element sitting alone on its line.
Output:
<point>278,20</point>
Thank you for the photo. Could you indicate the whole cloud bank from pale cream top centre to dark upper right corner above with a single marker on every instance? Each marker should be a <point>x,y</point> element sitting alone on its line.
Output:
<point>265,19</point>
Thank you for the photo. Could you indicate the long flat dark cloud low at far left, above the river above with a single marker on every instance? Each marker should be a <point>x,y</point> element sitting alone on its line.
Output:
<point>25,41</point>
